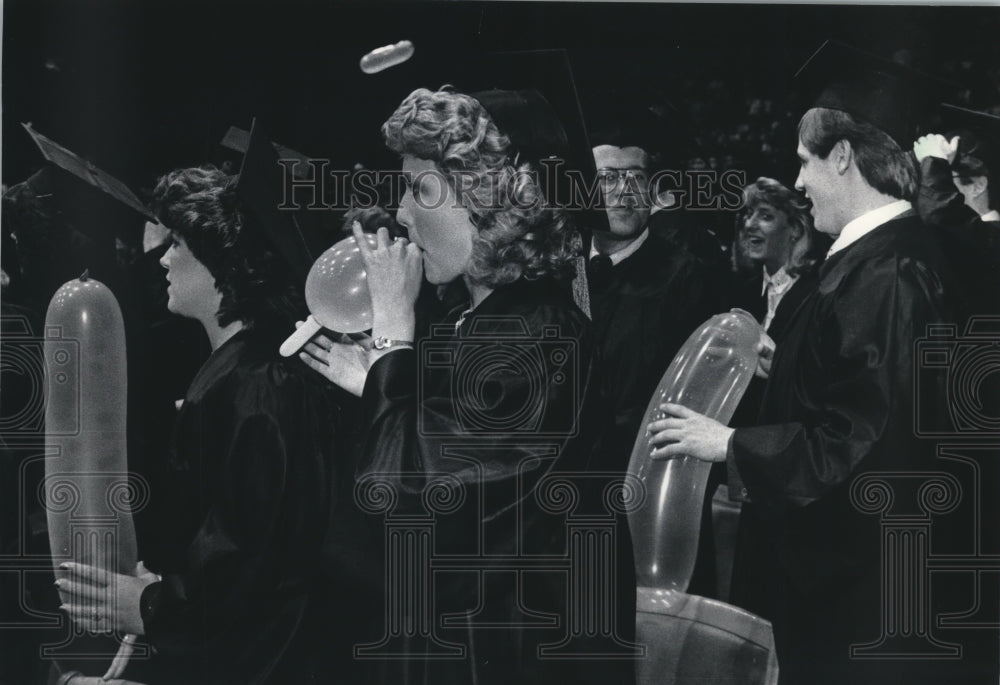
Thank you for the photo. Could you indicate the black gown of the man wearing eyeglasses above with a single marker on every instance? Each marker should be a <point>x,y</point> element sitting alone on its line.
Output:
<point>652,302</point>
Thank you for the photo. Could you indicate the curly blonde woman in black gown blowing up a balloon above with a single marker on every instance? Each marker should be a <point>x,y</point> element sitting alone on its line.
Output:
<point>494,401</point>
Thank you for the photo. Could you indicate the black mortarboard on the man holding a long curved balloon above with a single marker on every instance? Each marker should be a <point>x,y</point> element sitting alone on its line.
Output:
<point>892,97</point>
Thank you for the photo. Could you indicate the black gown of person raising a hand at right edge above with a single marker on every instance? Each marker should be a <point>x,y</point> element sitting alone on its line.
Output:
<point>971,245</point>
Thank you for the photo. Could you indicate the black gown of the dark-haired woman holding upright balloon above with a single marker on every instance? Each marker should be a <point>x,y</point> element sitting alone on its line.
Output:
<point>243,522</point>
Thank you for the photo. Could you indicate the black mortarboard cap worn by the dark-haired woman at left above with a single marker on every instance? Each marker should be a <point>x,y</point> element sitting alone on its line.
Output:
<point>260,187</point>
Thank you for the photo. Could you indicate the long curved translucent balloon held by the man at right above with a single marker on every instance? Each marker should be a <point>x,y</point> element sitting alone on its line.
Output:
<point>709,375</point>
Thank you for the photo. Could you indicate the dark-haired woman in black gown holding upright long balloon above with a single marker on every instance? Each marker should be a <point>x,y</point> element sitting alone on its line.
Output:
<point>243,502</point>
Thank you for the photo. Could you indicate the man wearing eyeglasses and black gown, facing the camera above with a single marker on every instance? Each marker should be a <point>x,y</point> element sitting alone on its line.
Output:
<point>647,294</point>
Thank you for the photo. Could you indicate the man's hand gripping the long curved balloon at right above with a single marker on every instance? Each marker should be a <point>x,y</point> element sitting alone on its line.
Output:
<point>687,432</point>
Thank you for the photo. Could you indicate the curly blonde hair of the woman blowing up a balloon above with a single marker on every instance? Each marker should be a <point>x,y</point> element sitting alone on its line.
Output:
<point>518,235</point>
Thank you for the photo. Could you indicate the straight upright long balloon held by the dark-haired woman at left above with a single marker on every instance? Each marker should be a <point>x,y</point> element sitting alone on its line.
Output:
<point>88,495</point>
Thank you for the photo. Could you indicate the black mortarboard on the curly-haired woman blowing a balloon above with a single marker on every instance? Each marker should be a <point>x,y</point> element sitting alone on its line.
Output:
<point>532,97</point>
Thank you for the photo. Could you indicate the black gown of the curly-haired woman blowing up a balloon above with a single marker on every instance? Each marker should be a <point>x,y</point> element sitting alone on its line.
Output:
<point>480,412</point>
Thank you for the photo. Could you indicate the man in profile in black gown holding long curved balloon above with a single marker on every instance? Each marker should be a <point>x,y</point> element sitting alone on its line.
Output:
<point>840,397</point>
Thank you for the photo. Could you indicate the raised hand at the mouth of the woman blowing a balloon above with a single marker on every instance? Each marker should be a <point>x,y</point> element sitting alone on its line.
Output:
<point>395,270</point>
